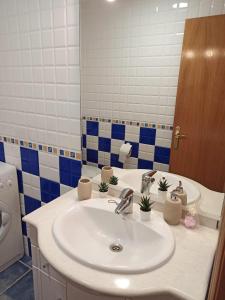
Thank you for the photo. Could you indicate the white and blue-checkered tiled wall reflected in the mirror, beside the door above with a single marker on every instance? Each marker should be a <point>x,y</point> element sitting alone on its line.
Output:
<point>130,56</point>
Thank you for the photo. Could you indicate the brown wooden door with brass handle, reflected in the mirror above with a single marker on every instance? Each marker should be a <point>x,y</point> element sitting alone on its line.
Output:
<point>200,105</point>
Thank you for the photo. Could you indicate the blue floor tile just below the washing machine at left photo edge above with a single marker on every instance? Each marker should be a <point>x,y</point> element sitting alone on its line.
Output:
<point>11,274</point>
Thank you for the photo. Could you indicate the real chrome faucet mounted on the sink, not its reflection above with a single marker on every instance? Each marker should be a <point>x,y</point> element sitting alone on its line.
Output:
<point>126,204</point>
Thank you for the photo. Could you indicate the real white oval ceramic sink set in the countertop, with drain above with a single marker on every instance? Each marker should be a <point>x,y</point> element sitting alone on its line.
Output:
<point>92,234</point>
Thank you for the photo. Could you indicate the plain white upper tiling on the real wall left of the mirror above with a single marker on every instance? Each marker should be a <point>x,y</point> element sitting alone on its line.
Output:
<point>34,75</point>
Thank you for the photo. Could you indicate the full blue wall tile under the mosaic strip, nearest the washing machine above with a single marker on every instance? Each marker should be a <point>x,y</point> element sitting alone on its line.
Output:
<point>30,161</point>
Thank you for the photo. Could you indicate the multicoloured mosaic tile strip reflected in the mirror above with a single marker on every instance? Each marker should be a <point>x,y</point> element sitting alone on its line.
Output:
<point>131,123</point>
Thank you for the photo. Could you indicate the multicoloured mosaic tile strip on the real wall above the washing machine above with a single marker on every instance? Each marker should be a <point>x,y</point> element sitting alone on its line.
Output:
<point>42,148</point>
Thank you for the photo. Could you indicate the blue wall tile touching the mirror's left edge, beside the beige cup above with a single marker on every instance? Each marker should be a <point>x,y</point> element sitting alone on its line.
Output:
<point>70,171</point>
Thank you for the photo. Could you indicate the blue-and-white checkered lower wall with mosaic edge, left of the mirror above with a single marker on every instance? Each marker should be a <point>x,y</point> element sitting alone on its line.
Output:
<point>44,173</point>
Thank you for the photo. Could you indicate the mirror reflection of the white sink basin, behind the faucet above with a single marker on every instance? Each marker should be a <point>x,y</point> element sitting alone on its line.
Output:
<point>133,180</point>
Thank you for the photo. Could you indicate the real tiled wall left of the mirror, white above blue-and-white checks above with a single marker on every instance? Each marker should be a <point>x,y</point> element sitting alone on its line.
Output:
<point>40,97</point>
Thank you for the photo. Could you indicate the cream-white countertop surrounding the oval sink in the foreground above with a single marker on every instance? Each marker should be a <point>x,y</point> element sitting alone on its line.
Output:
<point>185,275</point>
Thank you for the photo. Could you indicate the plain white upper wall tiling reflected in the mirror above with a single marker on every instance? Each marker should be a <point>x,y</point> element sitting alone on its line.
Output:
<point>130,70</point>
